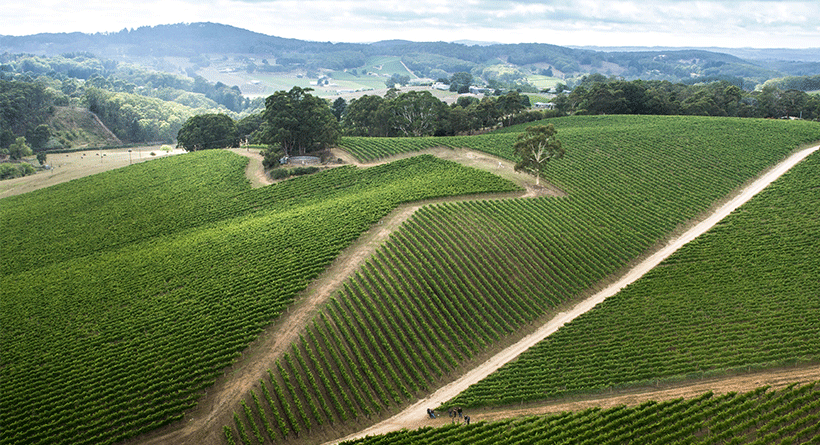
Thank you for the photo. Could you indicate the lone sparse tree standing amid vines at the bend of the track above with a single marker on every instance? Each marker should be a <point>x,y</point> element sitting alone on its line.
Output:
<point>535,147</point>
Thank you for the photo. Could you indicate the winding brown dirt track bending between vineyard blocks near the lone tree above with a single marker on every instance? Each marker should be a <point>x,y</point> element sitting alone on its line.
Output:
<point>203,424</point>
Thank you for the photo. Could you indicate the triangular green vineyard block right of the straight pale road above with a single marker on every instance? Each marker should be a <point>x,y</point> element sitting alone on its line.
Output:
<point>742,296</point>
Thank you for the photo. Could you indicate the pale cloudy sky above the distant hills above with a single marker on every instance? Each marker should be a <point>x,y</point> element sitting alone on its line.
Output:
<point>724,23</point>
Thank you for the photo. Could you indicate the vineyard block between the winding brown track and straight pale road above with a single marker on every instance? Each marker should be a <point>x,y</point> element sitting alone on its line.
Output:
<point>458,277</point>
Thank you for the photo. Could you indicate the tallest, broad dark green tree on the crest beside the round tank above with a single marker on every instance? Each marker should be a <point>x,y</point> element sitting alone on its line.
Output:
<point>299,122</point>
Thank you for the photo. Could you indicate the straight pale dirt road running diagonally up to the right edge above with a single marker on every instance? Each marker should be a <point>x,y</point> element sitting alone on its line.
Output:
<point>411,416</point>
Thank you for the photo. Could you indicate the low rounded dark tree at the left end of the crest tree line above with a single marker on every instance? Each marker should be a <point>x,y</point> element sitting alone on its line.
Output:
<point>207,131</point>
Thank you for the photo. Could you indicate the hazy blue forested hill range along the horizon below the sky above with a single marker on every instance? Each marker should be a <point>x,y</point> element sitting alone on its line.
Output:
<point>197,40</point>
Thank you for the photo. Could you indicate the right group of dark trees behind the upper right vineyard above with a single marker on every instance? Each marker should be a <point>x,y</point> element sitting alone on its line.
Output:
<point>597,94</point>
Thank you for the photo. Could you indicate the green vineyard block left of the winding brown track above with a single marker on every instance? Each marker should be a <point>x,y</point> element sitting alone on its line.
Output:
<point>123,294</point>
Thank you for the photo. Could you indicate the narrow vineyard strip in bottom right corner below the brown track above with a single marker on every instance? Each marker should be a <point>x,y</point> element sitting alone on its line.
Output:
<point>790,415</point>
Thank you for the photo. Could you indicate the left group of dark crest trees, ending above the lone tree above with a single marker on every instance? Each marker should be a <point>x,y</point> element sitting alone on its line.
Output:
<point>296,123</point>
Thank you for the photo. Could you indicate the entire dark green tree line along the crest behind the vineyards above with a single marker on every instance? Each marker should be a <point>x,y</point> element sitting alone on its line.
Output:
<point>296,122</point>
